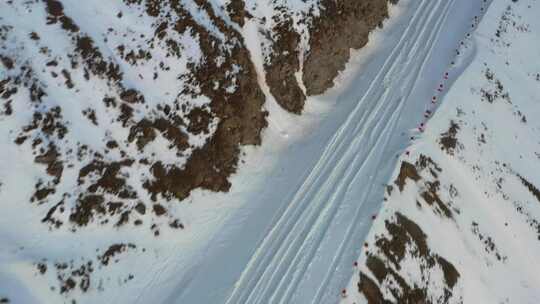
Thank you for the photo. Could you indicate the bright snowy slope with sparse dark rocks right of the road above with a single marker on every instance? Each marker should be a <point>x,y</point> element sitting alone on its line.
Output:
<point>460,221</point>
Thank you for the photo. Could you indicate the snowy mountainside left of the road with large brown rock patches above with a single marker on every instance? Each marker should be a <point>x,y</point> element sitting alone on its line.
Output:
<point>116,115</point>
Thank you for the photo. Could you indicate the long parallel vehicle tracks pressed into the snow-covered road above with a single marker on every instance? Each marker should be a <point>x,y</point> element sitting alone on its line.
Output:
<point>276,261</point>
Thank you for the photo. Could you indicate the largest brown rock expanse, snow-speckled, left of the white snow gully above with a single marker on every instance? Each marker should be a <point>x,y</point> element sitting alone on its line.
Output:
<point>238,113</point>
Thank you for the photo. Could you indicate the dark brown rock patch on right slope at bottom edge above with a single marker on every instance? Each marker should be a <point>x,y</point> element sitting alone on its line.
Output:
<point>404,238</point>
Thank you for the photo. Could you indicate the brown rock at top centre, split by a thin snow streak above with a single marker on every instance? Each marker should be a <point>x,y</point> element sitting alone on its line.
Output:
<point>341,26</point>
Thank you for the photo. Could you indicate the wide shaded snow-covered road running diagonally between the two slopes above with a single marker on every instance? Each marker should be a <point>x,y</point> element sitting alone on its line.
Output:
<point>296,240</point>
